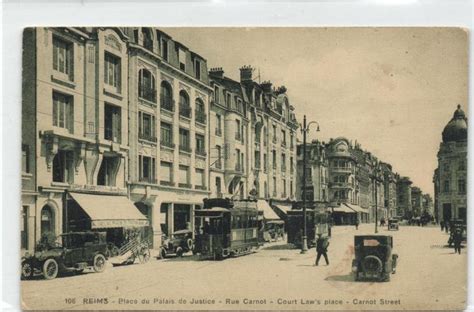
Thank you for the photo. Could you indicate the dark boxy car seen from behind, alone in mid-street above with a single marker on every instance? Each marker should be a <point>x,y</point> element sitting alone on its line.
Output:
<point>374,259</point>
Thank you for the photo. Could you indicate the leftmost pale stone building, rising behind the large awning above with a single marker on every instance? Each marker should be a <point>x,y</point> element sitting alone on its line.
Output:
<point>74,128</point>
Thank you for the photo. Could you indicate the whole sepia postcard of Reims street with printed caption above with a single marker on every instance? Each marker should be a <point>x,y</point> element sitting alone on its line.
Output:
<point>244,168</point>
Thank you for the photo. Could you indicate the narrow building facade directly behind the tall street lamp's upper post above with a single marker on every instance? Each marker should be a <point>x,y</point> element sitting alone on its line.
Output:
<point>316,166</point>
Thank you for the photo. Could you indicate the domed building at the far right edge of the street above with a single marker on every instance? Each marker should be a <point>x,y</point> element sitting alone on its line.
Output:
<point>451,175</point>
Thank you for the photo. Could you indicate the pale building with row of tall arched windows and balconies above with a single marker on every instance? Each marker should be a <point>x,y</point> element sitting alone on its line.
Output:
<point>169,97</point>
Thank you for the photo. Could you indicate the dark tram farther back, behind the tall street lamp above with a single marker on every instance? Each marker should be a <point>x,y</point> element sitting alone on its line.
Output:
<point>316,223</point>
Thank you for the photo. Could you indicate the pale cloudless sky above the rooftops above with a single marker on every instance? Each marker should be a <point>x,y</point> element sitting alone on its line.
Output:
<point>390,89</point>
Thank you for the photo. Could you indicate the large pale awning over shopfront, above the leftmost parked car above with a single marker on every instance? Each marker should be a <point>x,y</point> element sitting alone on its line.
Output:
<point>108,211</point>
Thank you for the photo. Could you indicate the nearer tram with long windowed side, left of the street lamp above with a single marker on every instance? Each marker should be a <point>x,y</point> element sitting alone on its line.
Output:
<point>226,228</point>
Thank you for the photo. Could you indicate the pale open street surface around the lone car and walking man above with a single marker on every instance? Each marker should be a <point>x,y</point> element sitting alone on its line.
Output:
<point>274,277</point>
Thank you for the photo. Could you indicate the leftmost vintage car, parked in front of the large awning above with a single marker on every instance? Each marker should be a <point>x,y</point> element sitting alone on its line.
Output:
<point>75,252</point>
